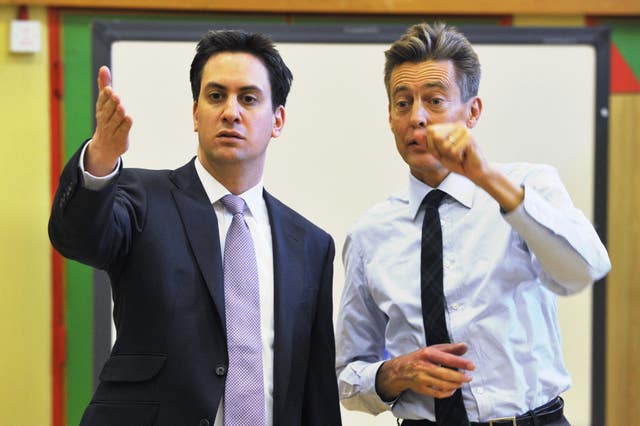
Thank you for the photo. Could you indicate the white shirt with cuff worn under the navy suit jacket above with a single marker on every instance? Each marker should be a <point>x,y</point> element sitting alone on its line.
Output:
<point>257,219</point>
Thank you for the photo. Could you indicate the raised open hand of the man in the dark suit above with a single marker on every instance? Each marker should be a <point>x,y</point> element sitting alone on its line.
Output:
<point>111,137</point>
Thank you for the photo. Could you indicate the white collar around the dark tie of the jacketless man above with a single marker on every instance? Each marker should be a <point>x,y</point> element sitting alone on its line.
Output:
<point>457,186</point>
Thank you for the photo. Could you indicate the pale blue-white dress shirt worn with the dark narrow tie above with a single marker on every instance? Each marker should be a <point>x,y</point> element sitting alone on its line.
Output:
<point>502,274</point>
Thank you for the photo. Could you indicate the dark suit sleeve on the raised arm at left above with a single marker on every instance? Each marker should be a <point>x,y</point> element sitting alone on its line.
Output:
<point>96,227</point>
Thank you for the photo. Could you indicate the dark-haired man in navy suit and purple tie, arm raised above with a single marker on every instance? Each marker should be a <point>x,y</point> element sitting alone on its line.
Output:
<point>161,236</point>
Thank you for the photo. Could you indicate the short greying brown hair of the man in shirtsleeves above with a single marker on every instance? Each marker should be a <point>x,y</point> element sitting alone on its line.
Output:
<point>423,42</point>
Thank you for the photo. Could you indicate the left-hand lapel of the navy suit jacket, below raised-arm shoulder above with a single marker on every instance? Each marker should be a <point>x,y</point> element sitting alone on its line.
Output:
<point>201,226</point>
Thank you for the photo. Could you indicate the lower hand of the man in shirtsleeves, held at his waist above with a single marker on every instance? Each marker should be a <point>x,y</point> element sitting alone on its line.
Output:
<point>429,371</point>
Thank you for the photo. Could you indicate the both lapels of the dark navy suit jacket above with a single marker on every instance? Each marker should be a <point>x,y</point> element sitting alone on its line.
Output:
<point>201,227</point>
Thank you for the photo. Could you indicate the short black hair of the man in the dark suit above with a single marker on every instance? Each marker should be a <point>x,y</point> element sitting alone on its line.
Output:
<point>257,44</point>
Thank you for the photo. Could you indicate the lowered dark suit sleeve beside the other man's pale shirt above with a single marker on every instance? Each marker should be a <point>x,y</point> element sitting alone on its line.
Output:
<point>321,406</point>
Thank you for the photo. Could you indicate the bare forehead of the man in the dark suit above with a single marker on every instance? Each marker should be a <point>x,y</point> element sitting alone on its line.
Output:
<point>236,69</point>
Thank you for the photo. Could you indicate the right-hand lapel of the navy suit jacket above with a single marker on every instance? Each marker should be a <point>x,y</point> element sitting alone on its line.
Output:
<point>288,276</point>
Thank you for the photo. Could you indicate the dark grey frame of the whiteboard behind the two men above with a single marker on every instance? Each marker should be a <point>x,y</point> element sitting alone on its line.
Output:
<point>105,33</point>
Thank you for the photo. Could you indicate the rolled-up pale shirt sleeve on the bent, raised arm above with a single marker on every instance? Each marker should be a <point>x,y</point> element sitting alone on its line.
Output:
<point>566,247</point>
